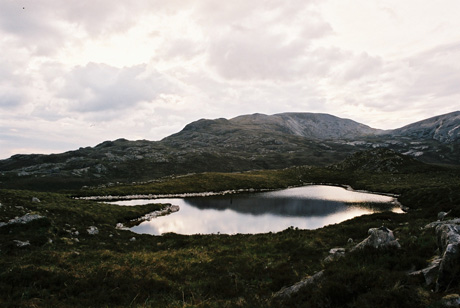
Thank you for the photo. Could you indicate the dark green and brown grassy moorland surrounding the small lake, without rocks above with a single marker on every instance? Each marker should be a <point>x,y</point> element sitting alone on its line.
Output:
<point>67,267</point>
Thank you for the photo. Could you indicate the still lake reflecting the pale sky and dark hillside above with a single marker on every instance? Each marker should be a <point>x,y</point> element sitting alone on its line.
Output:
<point>307,207</point>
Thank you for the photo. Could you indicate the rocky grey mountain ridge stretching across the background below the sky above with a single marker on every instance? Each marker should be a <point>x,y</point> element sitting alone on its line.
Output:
<point>246,142</point>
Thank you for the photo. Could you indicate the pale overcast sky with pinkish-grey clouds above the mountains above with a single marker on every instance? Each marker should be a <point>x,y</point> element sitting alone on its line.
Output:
<point>76,73</point>
